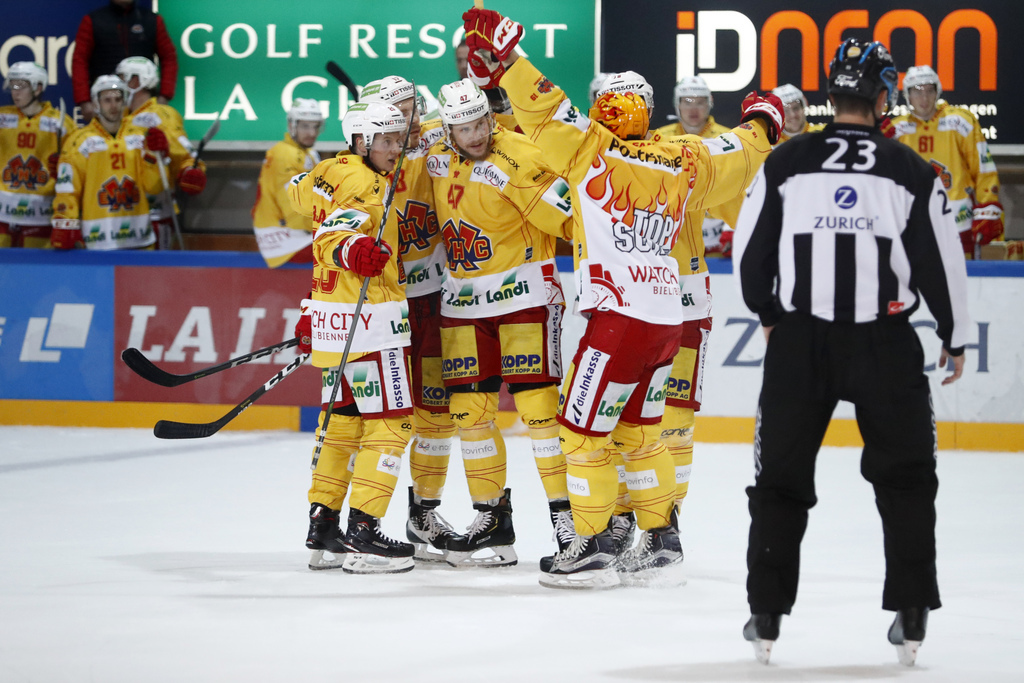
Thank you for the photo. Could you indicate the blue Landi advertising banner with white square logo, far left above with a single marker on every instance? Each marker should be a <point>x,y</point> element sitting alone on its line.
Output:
<point>57,332</point>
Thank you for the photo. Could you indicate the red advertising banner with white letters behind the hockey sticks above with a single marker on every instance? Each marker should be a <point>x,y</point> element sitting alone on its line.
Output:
<point>186,319</point>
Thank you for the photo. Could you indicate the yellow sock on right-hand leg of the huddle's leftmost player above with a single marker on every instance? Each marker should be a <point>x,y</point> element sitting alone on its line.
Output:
<point>378,464</point>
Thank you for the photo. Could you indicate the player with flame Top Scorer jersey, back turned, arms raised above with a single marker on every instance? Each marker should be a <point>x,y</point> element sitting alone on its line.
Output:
<point>629,197</point>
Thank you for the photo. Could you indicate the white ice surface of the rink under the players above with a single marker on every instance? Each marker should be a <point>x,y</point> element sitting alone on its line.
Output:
<point>126,559</point>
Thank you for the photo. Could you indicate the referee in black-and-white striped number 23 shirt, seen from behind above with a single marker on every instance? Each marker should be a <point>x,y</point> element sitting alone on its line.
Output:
<point>841,236</point>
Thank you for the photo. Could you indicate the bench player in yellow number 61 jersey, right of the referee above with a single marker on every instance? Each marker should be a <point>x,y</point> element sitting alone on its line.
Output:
<point>951,140</point>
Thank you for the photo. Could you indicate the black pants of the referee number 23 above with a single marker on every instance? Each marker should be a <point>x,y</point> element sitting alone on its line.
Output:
<point>809,367</point>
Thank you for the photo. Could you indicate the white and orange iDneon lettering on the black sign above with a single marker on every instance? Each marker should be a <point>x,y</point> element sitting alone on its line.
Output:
<point>698,41</point>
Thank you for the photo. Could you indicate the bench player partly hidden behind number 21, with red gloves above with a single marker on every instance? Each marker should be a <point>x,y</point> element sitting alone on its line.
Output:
<point>143,79</point>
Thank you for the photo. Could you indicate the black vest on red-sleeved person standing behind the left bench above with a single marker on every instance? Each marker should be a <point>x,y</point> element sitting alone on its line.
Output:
<point>118,34</point>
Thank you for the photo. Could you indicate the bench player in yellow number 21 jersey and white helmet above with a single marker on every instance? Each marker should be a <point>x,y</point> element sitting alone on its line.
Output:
<point>107,170</point>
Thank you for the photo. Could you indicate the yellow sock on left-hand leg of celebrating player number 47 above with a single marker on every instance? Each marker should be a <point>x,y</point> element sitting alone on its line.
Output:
<point>483,446</point>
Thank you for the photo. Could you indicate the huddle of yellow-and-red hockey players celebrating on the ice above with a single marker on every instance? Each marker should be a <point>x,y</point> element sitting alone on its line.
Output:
<point>462,294</point>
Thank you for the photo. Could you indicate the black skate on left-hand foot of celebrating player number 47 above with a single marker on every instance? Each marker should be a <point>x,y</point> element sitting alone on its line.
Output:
<point>492,533</point>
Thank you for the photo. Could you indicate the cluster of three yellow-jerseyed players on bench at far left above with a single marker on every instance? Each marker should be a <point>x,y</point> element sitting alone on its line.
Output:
<point>107,186</point>
